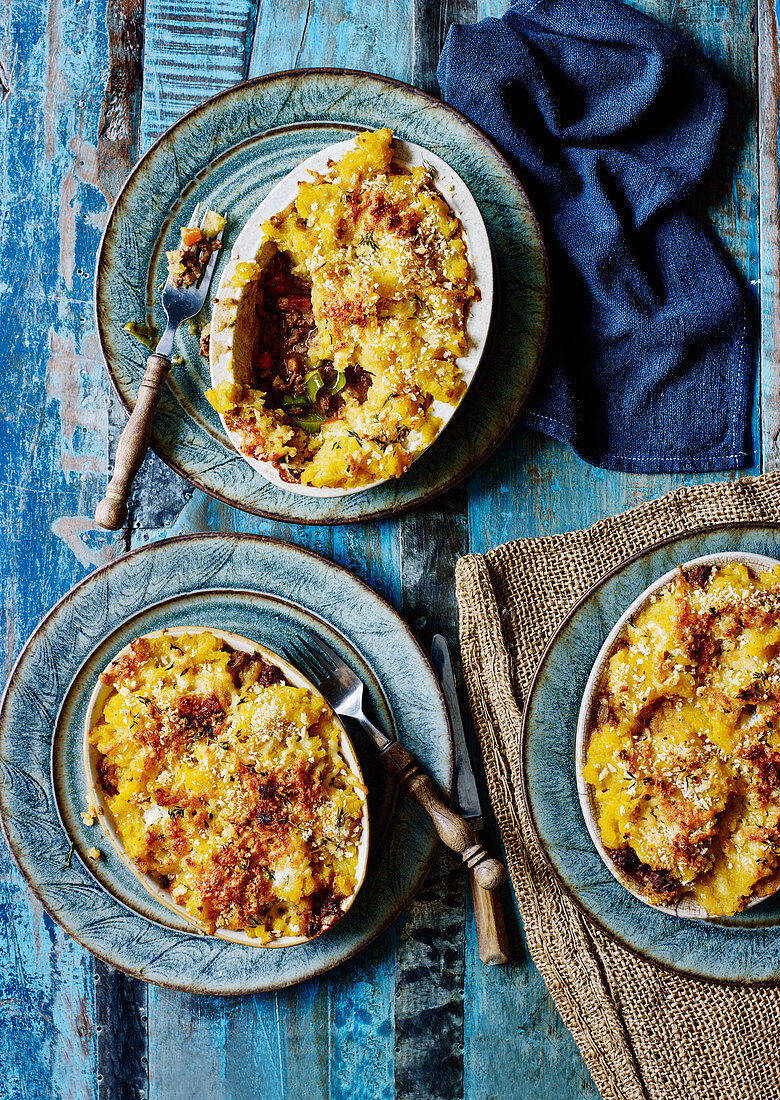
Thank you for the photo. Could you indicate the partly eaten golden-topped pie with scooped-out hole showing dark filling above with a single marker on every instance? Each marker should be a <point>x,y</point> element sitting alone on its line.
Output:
<point>336,350</point>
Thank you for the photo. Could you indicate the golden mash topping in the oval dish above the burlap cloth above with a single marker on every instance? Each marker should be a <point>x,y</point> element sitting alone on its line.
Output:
<point>685,750</point>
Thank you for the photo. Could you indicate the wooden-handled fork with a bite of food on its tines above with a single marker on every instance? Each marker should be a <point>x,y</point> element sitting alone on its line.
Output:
<point>180,305</point>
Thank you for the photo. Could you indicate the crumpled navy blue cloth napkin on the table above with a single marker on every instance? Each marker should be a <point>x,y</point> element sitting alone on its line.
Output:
<point>611,123</point>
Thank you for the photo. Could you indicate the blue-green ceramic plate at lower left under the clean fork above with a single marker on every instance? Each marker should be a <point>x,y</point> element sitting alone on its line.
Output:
<point>263,590</point>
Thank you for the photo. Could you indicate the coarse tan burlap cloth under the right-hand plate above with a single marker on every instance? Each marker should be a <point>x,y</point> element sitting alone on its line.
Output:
<point>644,1031</point>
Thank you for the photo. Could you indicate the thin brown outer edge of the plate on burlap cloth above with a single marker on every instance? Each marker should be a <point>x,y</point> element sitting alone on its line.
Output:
<point>584,912</point>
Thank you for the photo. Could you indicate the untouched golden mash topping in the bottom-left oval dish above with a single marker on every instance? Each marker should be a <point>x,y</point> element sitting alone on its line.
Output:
<point>228,787</point>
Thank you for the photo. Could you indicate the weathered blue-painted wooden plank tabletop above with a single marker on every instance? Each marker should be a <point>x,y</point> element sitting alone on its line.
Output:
<point>86,85</point>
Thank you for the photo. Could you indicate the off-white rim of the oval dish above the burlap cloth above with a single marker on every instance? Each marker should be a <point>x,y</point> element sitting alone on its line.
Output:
<point>685,907</point>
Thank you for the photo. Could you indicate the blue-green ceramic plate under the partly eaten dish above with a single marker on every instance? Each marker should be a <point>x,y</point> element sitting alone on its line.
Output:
<point>230,152</point>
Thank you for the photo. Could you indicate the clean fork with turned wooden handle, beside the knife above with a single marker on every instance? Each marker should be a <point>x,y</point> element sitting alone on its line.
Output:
<point>344,690</point>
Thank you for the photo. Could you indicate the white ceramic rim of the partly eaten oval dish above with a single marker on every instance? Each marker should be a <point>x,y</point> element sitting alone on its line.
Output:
<point>460,201</point>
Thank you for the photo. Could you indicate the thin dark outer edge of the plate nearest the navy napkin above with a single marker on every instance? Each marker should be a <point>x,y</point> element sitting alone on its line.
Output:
<point>469,468</point>
